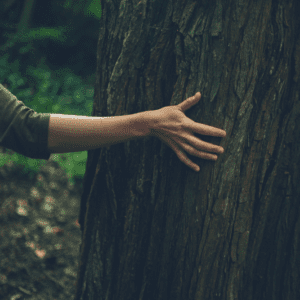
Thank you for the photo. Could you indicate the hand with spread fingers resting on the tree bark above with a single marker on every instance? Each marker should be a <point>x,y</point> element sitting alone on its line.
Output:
<point>175,129</point>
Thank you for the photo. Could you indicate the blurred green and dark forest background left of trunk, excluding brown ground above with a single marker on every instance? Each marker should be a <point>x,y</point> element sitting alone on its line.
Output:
<point>48,54</point>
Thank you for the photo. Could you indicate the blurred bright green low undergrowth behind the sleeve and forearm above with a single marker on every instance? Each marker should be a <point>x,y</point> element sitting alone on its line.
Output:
<point>57,92</point>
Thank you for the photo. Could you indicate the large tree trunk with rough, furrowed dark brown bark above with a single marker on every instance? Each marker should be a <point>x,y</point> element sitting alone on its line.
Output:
<point>153,228</point>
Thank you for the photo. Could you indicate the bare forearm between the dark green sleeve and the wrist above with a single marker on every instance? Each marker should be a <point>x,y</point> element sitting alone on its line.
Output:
<point>71,133</point>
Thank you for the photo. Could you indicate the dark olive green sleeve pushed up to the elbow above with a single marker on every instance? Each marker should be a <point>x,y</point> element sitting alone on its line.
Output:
<point>21,128</point>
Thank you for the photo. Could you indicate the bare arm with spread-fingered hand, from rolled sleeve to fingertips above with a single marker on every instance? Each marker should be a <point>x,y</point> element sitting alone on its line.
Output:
<point>71,133</point>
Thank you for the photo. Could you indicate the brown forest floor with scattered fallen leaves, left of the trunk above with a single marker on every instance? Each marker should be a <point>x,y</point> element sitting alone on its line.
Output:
<point>40,236</point>
